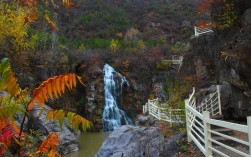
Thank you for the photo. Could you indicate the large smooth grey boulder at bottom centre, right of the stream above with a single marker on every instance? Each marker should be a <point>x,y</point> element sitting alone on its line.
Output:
<point>136,141</point>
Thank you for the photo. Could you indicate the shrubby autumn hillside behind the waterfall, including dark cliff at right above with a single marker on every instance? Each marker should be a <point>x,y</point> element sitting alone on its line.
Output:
<point>135,37</point>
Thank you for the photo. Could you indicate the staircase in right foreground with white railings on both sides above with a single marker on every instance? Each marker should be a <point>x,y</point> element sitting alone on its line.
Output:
<point>216,138</point>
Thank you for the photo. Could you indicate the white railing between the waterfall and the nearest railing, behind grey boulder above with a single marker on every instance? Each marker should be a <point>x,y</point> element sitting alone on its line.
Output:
<point>166,114</point>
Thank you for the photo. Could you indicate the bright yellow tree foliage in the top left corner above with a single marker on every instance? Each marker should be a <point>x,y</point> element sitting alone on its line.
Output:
<point>13,27</point>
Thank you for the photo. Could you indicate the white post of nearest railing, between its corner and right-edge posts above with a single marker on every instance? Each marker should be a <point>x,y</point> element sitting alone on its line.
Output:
<point>207,134</point>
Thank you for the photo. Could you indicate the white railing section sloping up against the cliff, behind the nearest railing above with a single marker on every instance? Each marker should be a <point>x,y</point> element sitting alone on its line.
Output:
<point>212,103</point>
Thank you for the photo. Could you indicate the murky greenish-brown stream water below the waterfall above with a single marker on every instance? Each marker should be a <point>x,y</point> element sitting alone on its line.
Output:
<point>89,144</point>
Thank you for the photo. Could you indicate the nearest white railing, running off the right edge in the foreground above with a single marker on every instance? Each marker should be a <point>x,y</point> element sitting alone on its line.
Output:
<point>199,130</point>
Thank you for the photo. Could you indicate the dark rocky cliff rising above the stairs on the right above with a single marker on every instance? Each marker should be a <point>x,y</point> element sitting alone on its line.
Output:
<point>225,60</point>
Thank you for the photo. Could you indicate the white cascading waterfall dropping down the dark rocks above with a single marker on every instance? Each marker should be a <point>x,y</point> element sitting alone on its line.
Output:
<point>113,117</point>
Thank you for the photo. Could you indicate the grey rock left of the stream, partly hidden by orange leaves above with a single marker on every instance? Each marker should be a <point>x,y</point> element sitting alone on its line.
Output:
<point>68,141</point>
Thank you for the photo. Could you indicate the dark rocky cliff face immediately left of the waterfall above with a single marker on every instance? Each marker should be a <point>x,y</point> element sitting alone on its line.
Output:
<point>92,93</point>
